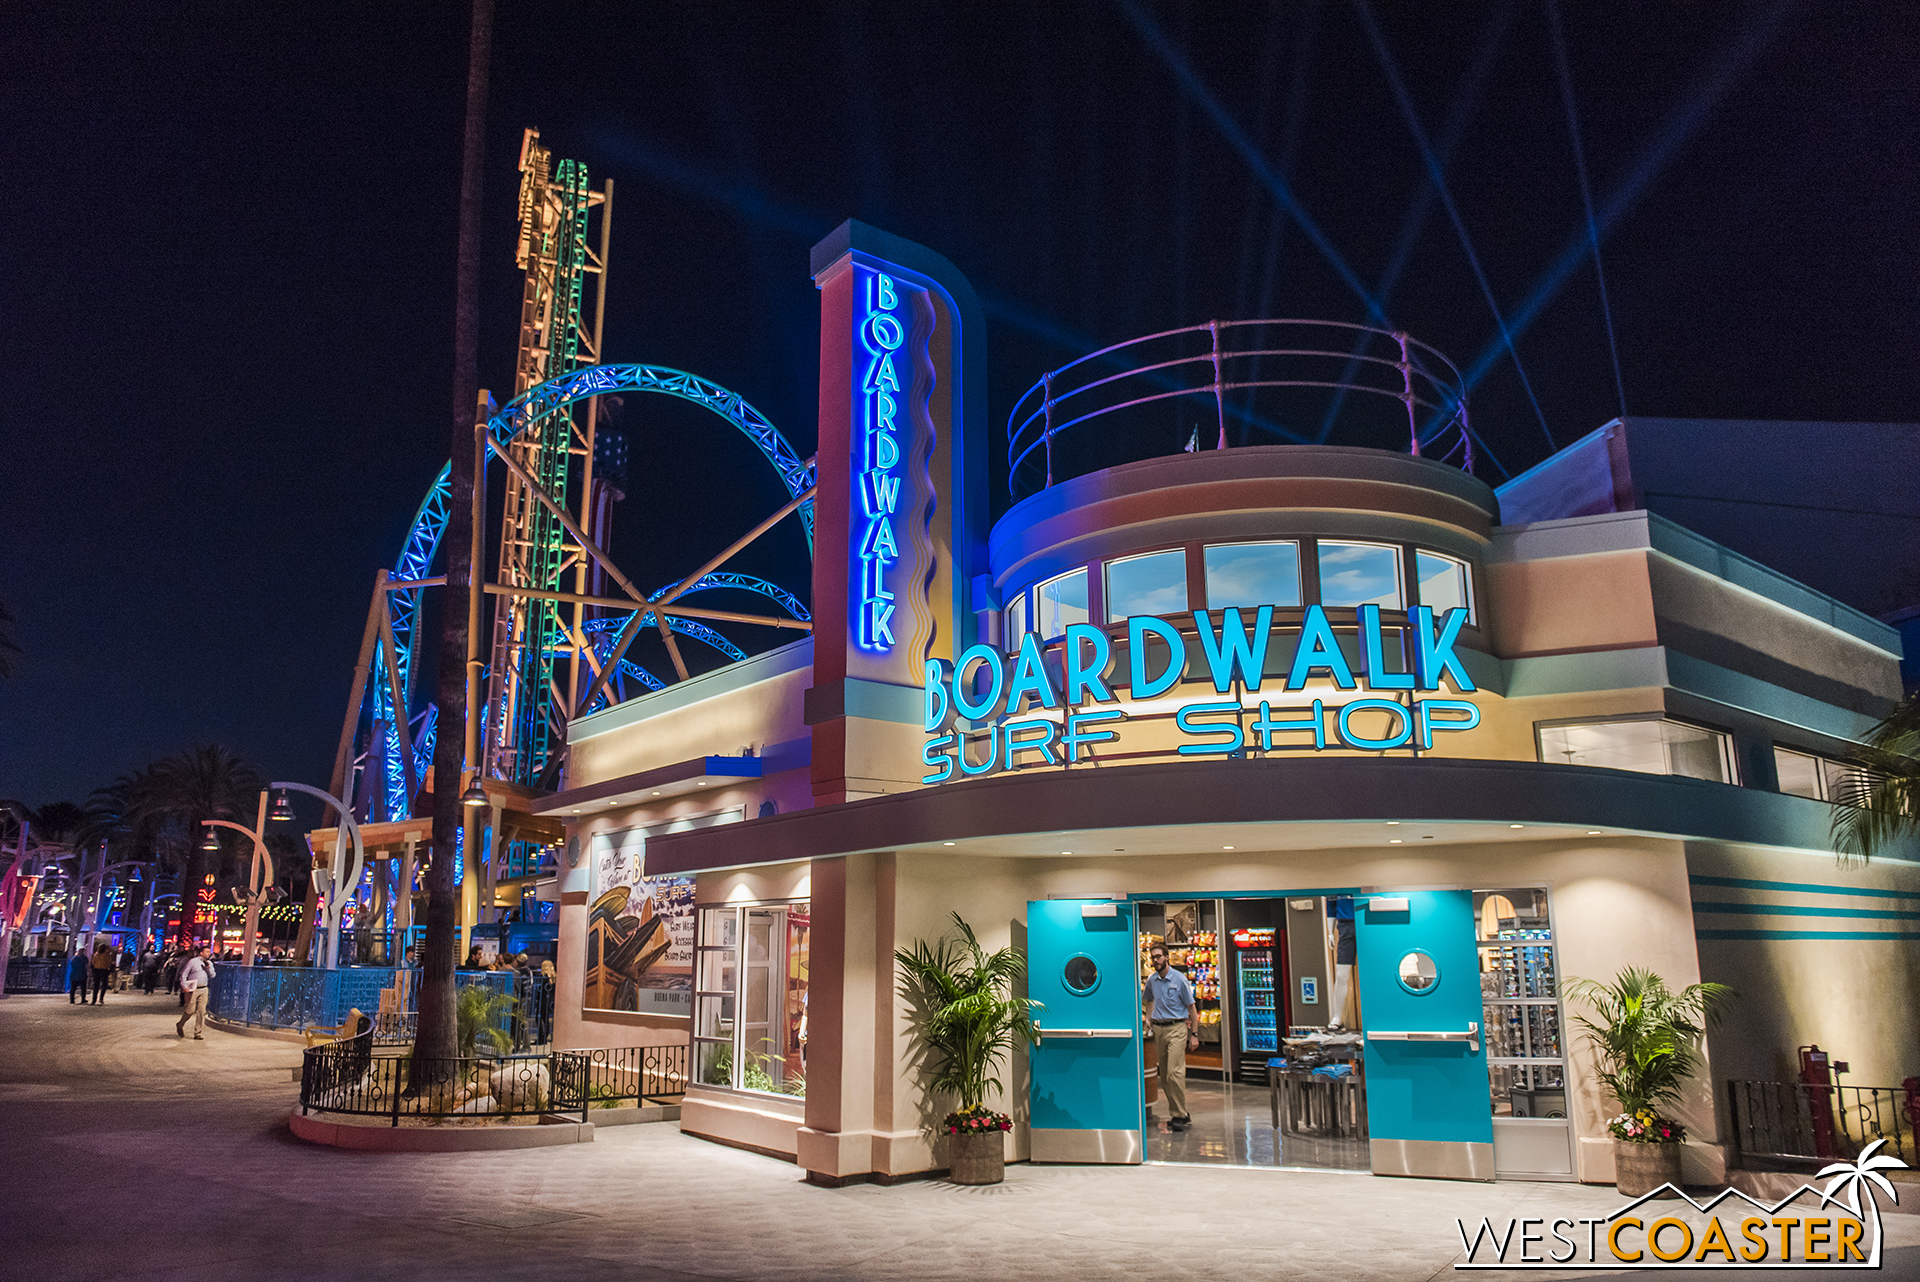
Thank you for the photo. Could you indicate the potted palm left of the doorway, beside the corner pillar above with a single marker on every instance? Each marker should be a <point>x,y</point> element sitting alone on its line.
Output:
<point>967,1020</point>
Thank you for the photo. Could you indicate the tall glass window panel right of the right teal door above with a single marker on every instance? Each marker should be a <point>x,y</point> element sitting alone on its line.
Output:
<point>1520,991</point>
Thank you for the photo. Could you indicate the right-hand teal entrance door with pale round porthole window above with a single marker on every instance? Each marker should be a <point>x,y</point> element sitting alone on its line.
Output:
<point>1420,1005</point>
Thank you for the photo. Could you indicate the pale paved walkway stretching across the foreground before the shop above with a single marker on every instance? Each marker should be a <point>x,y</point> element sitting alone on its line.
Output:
<point>133,1156</point>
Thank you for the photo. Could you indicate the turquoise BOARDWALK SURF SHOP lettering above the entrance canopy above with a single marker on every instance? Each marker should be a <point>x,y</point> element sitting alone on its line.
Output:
<point>994,713</point>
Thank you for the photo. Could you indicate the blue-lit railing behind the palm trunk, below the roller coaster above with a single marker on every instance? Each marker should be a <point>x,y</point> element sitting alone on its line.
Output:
<point>279,997</point>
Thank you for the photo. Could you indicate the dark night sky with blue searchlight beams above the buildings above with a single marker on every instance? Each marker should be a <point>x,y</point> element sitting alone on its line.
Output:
<point>226,281</point>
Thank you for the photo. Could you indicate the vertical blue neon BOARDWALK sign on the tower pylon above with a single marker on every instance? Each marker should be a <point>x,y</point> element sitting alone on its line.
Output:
<point>882,335</point>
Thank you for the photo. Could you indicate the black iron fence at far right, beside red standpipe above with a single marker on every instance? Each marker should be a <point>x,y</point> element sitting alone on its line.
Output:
<point>1792,1122</point>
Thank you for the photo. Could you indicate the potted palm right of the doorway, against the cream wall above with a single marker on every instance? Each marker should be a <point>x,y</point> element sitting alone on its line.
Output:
<point>1646,1039</point>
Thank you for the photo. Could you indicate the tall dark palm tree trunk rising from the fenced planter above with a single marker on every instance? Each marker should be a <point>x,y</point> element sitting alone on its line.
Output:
<point>439,1018</point>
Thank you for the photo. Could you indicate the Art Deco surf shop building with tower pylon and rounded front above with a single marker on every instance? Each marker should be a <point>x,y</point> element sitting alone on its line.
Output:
<point>1378,767</point>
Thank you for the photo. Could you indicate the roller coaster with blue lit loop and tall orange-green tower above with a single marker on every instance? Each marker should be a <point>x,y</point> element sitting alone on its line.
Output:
<point>564,615</point>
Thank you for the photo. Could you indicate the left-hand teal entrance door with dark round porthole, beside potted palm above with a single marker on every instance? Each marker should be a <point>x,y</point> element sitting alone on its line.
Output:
<point>1086,1074</point>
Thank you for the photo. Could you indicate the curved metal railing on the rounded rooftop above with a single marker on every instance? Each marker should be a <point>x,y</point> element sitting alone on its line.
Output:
<point>1428,383</point>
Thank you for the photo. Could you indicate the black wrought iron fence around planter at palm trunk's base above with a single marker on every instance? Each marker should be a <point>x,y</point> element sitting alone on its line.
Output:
<point>362,1080</point>
